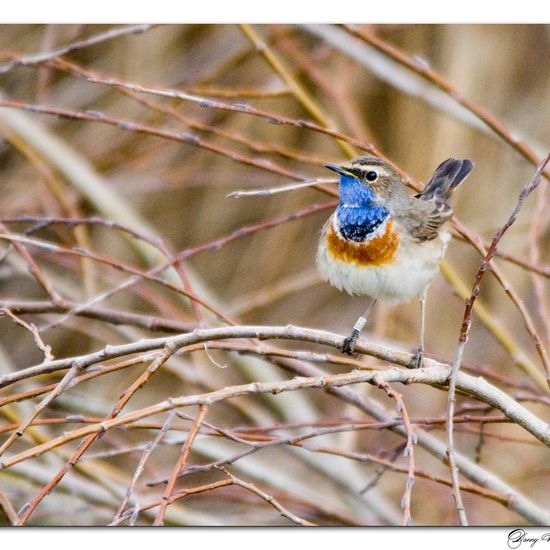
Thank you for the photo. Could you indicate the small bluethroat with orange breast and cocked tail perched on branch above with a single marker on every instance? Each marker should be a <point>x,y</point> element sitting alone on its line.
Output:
<point>383,242</point>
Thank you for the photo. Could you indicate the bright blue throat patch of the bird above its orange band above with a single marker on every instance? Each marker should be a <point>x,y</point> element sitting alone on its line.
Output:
<point>358,212</point>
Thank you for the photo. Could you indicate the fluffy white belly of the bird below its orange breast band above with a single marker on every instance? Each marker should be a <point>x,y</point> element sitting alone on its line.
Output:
<point>407,277</point>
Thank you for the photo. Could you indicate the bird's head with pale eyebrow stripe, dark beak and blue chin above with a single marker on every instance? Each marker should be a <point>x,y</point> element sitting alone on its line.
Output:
<point>365,179</point>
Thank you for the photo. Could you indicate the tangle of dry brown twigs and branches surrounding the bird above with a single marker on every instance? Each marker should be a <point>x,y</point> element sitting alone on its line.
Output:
<point>168,355</point>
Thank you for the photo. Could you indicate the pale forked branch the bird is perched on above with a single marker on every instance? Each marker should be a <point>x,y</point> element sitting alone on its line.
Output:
<point>435,373</point>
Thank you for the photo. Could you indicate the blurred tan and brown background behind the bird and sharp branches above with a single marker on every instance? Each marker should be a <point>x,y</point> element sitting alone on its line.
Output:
<point>163,167</point>
